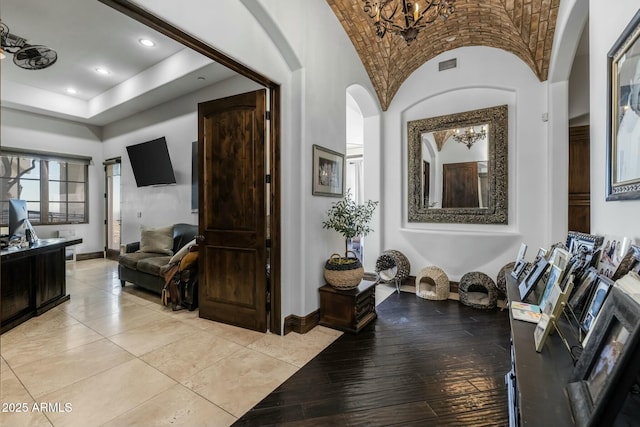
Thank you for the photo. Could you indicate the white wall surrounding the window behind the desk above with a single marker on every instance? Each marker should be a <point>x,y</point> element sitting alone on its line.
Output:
<point>26,130</point>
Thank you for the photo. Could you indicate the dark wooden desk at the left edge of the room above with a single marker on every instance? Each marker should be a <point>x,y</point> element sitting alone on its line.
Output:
<point>33,280</point>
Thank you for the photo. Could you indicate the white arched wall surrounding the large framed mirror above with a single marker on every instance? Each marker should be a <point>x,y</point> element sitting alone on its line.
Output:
<point>485,77</point>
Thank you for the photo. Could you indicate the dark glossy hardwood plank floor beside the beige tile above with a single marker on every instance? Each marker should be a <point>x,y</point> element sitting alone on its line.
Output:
<point>420,363</point>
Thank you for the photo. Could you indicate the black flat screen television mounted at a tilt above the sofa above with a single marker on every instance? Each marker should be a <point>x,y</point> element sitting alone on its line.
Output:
<point>151,163</point>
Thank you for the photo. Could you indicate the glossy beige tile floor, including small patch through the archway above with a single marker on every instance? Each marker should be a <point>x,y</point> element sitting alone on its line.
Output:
<point>110,357</point>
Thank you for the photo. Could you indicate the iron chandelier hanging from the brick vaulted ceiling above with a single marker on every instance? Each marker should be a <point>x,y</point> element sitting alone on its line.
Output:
<point>413,17</point>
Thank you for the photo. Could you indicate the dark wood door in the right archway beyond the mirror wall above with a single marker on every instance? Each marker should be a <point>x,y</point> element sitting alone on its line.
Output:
<point>579,180</point>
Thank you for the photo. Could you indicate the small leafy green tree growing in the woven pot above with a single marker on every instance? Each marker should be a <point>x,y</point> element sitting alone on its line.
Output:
<point>349,218</point>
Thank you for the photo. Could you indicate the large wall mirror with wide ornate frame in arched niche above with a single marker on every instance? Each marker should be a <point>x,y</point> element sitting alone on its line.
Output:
<point>458,167</point>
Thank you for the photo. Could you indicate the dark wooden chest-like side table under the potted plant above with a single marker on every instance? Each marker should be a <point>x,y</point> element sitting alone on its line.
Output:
<point>348,311</point>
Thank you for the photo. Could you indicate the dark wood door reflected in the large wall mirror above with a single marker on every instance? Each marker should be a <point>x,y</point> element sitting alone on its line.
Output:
<point>460,185</point>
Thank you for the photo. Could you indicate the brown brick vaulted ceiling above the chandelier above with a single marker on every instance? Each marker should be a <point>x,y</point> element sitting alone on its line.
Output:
<point>522,27</point>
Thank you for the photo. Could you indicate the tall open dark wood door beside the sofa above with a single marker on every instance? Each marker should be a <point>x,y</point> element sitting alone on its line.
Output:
<point>232,213</point>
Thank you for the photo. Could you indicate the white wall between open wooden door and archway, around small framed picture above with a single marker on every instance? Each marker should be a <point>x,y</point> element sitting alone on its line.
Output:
<point>309,45</point>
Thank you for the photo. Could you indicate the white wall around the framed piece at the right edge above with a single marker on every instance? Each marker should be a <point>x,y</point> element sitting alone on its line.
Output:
<point>606,24</point>
